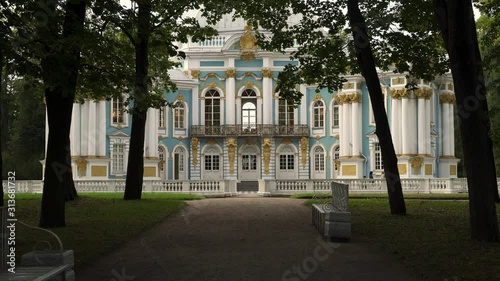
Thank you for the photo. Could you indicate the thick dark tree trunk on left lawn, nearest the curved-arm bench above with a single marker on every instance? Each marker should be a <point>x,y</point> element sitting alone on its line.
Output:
<point>60,72</point>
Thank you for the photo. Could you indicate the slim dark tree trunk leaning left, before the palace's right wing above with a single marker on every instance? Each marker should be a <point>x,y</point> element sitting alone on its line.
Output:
<point>366,62</point>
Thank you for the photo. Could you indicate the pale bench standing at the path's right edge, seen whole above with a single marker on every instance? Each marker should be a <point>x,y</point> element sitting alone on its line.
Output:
<point>333,220</point>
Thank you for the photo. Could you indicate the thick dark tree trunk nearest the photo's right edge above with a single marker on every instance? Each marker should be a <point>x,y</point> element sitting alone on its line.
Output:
<point>456,20</point>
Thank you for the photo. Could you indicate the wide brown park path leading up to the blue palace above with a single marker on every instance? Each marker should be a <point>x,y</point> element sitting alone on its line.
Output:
<point>243,239</point>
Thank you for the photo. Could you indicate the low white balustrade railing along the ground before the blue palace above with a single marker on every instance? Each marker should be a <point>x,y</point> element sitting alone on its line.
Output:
<point>458,185</point>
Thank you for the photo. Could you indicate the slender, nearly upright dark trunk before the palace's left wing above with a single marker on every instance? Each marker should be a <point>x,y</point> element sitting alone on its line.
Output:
<point>135,168</point>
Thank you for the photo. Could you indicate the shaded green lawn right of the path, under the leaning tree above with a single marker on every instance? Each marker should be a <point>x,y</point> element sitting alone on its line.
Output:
<point>433,239</point>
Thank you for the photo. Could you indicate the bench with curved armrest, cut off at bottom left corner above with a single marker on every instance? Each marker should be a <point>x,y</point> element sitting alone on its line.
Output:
<point>36,265</point>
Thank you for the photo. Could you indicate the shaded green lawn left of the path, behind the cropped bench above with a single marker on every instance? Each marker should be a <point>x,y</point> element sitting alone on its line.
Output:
<point>97,222</point>
